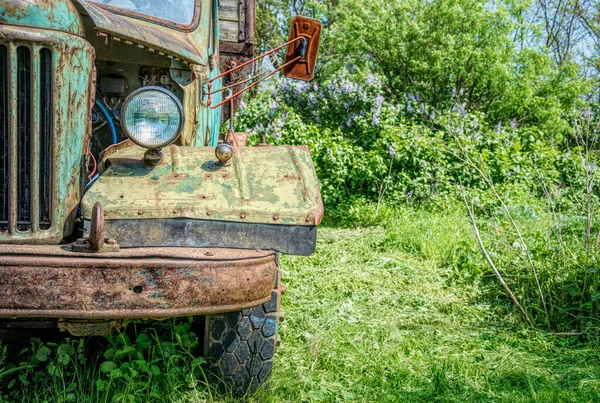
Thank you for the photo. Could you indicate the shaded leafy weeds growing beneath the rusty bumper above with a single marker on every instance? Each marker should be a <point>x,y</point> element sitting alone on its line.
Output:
<point>149,367</point>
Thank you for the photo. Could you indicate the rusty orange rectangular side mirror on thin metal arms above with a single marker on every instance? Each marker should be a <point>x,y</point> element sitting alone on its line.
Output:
<point>310,29</point>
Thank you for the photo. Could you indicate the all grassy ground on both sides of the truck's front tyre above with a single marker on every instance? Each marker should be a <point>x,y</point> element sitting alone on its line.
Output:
<point>380,313</point>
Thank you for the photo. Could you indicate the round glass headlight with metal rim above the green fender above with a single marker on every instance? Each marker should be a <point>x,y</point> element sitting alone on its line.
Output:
<point>152,117</point>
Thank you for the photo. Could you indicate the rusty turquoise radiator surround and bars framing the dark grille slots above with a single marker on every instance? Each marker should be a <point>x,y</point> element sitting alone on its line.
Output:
<point>72,72</point>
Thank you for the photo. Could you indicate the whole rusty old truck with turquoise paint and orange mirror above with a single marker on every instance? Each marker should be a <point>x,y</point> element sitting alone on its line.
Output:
<point>124,192</point>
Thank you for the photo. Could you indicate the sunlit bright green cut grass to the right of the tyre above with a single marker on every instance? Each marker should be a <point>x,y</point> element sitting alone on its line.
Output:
<point>375,315</point>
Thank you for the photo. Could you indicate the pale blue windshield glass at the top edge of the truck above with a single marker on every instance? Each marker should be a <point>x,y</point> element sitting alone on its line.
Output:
<point>177,11</point>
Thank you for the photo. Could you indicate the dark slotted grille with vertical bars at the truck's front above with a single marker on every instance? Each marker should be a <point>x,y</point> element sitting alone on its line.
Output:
<point>26,119</point>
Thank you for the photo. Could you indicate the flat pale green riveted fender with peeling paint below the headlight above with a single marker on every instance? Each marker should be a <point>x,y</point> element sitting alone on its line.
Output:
<point>269,185</point>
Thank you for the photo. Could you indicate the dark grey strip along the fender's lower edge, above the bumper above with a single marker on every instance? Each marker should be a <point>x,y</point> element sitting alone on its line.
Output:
<point>288,239</point>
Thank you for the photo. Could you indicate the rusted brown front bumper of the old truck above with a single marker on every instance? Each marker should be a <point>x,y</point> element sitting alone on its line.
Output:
<point>53,282</point>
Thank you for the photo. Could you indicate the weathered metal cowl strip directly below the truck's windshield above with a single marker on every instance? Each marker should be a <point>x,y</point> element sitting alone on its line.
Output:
<point>180,44</point>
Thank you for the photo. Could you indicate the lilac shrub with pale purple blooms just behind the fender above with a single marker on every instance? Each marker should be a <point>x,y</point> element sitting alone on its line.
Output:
<point>365,144</point>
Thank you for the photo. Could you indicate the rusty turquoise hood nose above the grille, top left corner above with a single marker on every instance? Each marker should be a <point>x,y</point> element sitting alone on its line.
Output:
<point>58,15</point>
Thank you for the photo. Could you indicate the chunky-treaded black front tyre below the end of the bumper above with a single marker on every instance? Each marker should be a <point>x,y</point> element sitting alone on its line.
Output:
<point>239,346</point>
